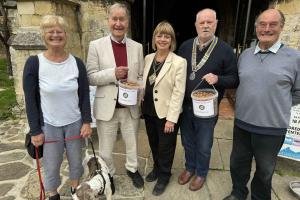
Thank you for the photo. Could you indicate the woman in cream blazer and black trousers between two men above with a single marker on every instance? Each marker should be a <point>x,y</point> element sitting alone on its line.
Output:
<point>164,82</point>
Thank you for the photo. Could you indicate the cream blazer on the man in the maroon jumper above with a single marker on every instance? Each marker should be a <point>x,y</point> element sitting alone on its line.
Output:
<point>101,73</point>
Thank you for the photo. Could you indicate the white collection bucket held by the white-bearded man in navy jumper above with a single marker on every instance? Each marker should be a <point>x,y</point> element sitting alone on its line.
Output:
<point>205,107</point>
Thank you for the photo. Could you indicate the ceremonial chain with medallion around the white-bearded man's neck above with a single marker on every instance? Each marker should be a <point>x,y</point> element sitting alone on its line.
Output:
<point>195,67</point>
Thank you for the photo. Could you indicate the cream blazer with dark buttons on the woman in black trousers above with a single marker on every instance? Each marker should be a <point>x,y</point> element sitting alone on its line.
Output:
<point>169,87</point>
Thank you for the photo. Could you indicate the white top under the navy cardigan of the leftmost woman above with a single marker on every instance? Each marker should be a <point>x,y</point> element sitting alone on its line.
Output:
<point>59,91</point>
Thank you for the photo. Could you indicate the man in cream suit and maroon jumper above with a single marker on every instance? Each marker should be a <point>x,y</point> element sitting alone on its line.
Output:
<point>110,59</point>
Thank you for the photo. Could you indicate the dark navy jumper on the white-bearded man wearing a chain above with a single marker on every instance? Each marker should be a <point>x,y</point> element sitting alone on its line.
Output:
<point>222,62</point>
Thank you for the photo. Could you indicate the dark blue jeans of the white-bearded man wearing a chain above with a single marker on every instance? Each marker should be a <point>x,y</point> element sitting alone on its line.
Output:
<point>197,139</point>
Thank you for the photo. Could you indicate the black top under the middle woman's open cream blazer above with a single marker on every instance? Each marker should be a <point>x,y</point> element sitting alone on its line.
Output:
<point>148,107</point>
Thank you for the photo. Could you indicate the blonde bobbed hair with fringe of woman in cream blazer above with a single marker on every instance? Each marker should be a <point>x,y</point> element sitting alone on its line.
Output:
<point>164,27</point>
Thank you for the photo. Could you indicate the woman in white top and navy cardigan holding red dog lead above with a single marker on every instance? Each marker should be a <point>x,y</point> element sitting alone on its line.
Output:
<point>57,104</point>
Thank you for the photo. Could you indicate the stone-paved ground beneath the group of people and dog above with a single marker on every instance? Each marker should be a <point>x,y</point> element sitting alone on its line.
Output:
<point>18,177</point>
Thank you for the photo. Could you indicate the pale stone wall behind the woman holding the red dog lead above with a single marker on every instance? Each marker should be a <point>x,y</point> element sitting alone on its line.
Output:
<point>86,21</point>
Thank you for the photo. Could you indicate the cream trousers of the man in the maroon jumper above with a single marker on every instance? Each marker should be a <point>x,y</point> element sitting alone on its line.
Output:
<point>107,134</point>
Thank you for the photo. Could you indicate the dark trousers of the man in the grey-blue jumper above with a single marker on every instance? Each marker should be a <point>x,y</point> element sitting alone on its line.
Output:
<point>264,148</point>
